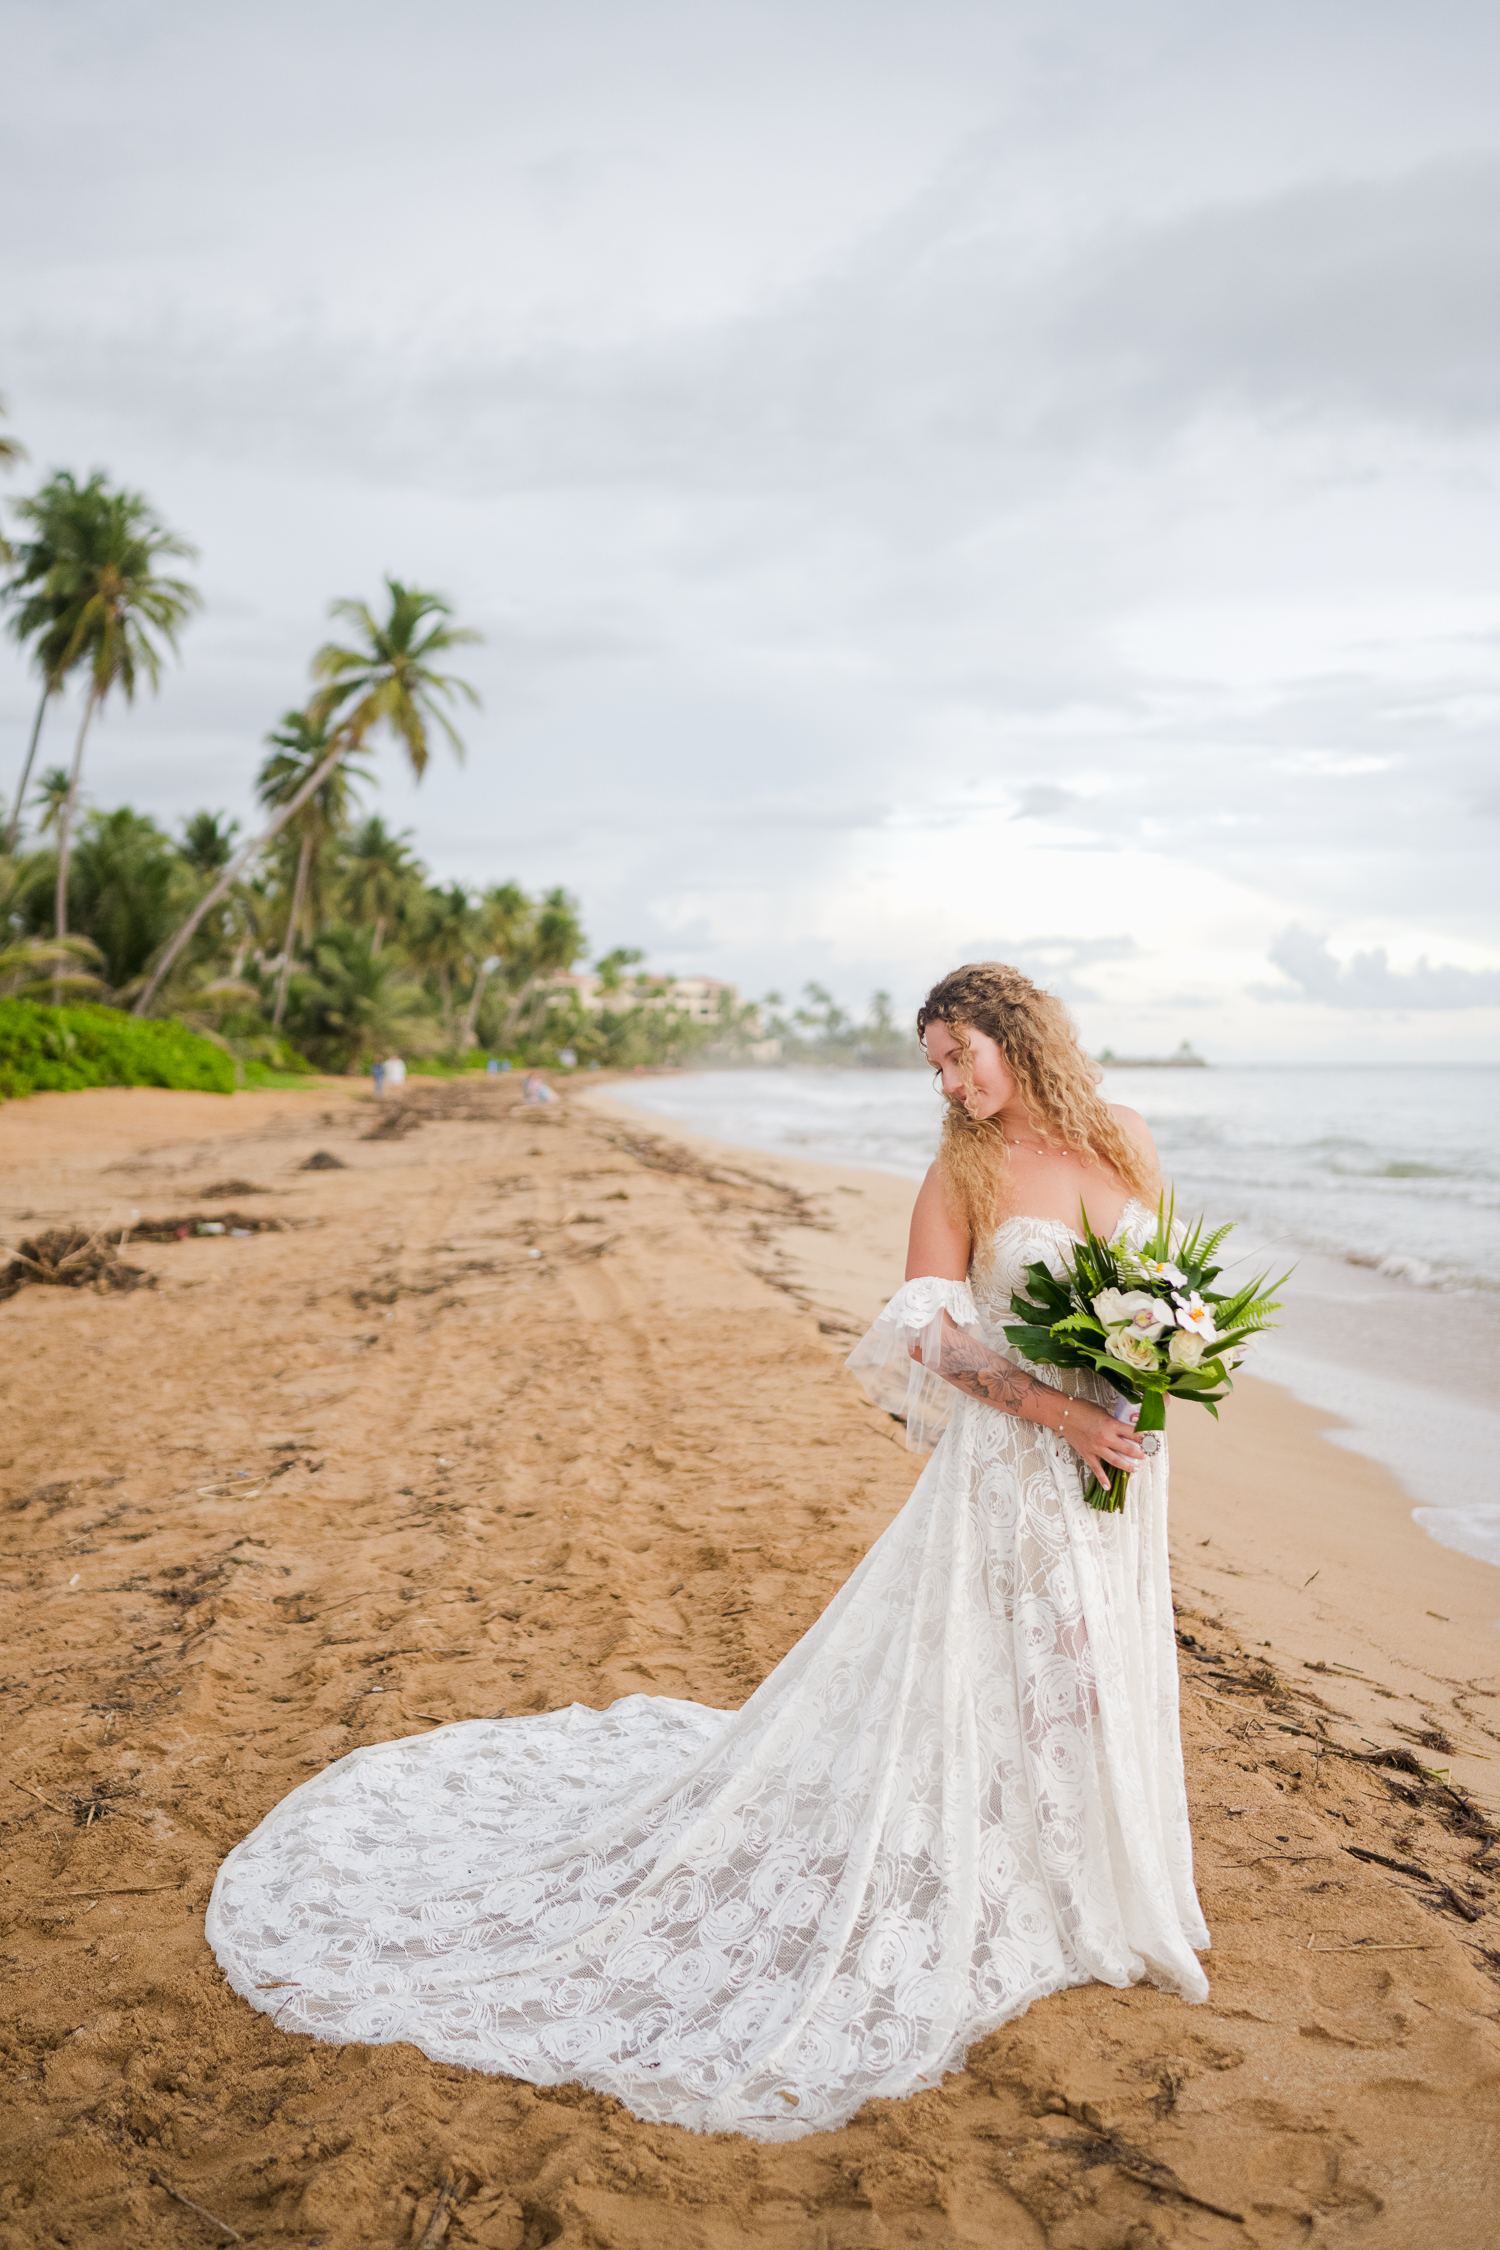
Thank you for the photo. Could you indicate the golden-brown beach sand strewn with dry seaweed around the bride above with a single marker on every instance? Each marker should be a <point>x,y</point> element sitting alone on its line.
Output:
<point>527,1410</point>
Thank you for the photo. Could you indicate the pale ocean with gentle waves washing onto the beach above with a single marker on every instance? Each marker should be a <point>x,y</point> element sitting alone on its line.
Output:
<point>1380,1182</point>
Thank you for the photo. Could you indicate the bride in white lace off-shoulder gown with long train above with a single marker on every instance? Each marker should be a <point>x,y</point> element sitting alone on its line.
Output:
<point>957,1794</point>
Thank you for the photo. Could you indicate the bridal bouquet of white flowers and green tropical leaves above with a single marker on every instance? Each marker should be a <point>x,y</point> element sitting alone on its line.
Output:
<point>1148,1320</point>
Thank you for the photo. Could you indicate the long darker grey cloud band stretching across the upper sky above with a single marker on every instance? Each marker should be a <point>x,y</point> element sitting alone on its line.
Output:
<point>932,352</point>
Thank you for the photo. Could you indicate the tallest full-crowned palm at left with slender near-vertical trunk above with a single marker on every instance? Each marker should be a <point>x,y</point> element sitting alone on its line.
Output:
<point>111,611</point>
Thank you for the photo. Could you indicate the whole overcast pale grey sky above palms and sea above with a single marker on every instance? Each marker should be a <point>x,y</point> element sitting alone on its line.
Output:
<point>937,478</point>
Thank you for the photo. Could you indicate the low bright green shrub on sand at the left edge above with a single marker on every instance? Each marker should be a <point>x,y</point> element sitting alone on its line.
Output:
<point>60,1050</point>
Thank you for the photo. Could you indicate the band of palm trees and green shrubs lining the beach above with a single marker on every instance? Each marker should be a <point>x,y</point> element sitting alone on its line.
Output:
<point>318,944</point>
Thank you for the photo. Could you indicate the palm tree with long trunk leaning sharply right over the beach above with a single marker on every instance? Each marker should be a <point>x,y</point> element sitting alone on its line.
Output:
<point>390,685</point>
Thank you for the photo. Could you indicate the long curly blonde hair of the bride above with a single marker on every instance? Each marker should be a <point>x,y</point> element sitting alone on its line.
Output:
<point>1054,1077</point>
